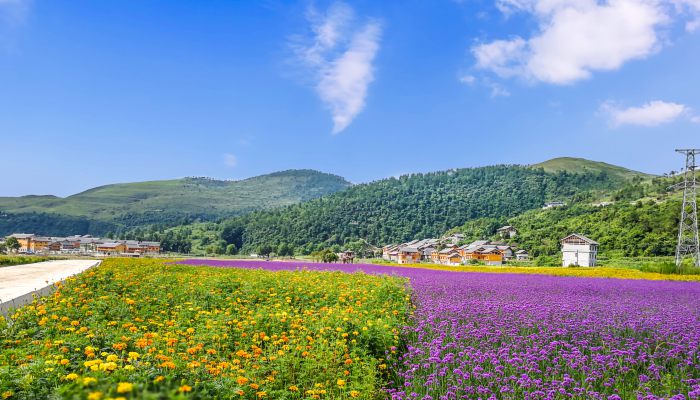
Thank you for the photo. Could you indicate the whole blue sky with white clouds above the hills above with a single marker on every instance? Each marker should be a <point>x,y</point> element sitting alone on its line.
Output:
<point>99,92</point>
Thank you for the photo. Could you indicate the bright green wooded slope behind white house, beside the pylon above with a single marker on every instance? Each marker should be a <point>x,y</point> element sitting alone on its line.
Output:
<point>640,219</point>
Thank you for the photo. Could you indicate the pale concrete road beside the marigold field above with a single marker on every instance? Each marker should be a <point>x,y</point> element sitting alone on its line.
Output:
<point>18,282</point>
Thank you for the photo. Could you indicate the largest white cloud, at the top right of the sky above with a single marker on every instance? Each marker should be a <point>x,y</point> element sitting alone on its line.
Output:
<point>576,38</point>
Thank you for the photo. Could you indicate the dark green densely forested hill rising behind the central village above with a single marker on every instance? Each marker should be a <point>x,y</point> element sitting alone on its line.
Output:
<point>404,208</point>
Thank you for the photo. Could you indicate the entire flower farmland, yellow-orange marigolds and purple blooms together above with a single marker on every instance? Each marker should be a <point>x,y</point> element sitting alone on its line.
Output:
<point>150,329</point>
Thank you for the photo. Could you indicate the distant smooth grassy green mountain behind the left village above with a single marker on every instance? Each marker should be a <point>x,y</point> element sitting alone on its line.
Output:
<point>127,205</point>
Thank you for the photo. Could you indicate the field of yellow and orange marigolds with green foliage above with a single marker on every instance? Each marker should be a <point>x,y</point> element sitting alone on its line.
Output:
<point>147,329</point>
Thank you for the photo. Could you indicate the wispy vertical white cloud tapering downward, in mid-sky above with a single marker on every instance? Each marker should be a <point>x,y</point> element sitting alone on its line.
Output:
<point>340,54</point>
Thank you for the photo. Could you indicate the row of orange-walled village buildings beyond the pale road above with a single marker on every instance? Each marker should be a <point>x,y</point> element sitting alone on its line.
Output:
<point>87,245</point>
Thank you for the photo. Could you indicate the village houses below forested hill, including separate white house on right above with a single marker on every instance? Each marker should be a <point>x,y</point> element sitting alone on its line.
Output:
<point>577,250</point>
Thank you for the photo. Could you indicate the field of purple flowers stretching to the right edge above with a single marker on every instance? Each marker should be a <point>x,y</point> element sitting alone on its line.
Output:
<point>510,336</point>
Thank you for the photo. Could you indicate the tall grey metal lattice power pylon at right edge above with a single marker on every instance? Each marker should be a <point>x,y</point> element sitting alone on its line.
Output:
<point>688,243</point>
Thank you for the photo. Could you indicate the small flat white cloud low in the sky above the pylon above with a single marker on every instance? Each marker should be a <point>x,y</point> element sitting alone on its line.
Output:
<point>653,113</point>
